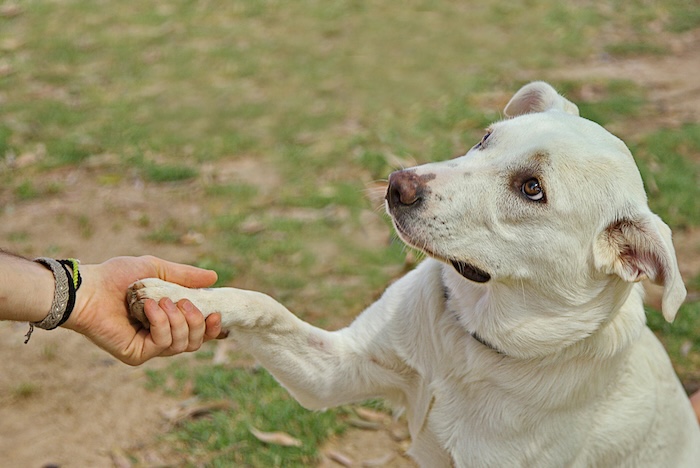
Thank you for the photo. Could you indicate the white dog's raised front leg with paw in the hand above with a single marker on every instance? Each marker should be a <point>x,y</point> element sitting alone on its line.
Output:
<point>319,368</point>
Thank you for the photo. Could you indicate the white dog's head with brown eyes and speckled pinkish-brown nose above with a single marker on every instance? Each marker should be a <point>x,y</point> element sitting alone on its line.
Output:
<point>546,201</point>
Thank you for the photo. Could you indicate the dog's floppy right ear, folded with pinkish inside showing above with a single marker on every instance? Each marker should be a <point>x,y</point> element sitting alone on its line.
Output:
<point>639,248</point>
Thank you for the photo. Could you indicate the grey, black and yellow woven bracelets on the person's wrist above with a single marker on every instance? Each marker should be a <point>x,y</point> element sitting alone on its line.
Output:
<point>67,284</point>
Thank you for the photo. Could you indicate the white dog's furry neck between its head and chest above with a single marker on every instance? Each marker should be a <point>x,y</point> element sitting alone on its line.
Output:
<point>506,321</point>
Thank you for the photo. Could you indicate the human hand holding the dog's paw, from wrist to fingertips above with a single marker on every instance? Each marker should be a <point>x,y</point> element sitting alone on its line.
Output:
<point>102,315</point>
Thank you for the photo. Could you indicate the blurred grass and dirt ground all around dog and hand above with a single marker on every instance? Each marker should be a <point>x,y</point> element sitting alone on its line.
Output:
<point>255,138</point>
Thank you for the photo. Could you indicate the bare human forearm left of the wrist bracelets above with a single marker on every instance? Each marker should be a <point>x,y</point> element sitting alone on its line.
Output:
<point>26,289</point>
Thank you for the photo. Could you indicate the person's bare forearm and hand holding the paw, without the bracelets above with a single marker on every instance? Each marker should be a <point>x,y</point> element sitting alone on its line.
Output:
<point>100,313</point>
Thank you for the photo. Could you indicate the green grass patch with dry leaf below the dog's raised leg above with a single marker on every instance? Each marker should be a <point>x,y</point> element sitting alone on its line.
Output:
<point>259,402</point>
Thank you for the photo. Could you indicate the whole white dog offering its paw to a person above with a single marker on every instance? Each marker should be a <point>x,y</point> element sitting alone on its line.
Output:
<point>522,340</point>
